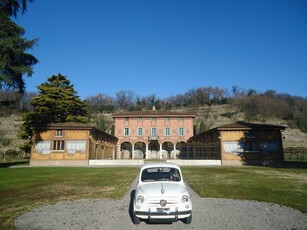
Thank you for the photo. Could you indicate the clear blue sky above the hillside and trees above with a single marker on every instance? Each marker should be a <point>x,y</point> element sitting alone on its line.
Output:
<point>166,47</point>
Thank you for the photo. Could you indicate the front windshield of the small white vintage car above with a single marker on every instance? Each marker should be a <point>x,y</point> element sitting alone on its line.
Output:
<point>160,174</point>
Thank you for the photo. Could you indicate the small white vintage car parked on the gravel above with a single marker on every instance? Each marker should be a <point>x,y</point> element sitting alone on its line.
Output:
<point>161,194</point>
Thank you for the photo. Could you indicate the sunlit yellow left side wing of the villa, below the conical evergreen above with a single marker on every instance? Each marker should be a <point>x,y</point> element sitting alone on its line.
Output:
<point>70,144</point>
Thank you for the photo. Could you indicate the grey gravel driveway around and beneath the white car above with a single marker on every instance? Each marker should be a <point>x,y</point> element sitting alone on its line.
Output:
<point>207,214</point>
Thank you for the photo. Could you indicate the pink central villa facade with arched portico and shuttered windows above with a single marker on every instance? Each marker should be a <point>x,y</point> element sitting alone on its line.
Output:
<point>153,134</point>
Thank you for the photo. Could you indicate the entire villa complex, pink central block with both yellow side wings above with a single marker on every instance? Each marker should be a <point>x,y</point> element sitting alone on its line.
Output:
<point>155,134</point>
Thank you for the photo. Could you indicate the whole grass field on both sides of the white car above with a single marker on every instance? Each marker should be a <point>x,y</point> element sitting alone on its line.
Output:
<point>22,189</point>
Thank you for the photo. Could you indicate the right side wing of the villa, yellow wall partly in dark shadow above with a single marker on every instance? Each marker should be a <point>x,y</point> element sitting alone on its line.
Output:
<point>240,143</point>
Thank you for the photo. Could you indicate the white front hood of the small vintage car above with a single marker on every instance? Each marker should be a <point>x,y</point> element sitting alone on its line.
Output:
<point>162,188</point>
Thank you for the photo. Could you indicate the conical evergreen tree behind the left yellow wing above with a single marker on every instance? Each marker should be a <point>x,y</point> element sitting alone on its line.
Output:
<point>56,102</point>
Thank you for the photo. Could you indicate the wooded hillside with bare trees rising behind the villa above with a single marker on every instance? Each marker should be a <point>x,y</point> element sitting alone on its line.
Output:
<point>213,107</point>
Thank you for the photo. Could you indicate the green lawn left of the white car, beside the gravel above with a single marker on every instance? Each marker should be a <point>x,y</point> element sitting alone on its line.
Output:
<point>22,189</point>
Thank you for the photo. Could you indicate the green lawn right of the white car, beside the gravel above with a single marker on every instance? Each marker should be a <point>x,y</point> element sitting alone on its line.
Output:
<point>277,185</point>
